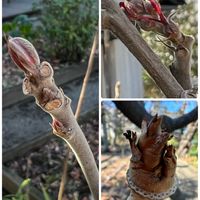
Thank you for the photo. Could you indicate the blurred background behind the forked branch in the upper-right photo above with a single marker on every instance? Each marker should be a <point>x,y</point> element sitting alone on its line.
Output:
<point>122,74</point>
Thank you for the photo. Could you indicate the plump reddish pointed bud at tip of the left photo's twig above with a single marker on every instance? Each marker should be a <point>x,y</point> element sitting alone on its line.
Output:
<point>23,54</point>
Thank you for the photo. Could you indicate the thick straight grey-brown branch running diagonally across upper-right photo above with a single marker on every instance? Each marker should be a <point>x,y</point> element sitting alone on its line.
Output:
<point>116,21</point>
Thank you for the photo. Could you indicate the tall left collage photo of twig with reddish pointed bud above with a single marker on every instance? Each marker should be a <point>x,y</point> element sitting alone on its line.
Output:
<point>50,134</point>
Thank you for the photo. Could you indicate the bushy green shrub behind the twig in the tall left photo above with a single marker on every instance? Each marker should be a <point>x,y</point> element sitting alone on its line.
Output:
<point>68,28</point>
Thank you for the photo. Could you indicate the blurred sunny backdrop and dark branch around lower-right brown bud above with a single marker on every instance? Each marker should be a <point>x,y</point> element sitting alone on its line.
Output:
<point>179,117</point>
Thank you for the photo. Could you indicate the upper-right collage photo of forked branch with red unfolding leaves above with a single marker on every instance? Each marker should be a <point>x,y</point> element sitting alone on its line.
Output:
<point>149,49</point>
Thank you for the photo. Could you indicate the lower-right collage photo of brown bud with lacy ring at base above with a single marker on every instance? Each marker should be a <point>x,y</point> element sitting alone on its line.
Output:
<point>149,150</point>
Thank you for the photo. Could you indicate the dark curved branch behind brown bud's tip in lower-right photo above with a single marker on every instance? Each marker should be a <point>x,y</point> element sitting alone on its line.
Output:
<point>136,112</point>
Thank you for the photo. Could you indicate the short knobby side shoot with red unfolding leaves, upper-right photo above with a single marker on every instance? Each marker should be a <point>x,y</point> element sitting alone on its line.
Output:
<point>149,17</point>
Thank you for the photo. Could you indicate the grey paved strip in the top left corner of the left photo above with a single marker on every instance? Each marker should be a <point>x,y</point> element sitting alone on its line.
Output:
<point>12,8</point>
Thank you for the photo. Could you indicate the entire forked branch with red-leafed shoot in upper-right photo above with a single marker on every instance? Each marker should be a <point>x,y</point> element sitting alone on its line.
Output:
<point>175,81</point>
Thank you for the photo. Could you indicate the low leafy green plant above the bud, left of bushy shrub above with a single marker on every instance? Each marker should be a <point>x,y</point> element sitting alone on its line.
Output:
<point>21,26</point>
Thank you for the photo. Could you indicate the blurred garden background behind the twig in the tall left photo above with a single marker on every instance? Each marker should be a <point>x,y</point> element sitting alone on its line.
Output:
<point>62,33</point>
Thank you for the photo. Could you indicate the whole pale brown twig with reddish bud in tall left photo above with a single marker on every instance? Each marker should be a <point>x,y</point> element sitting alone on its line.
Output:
<point>39,83</point>
